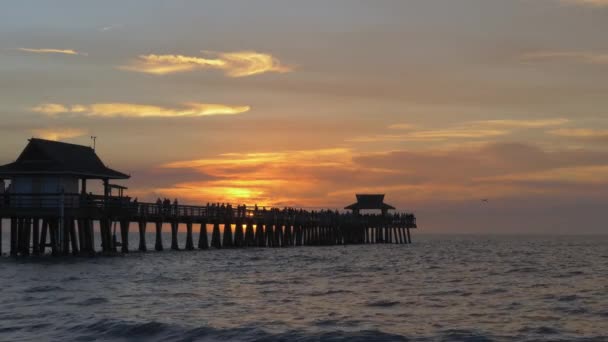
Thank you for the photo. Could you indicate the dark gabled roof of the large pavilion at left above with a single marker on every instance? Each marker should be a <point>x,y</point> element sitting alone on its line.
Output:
<point>46,157</point>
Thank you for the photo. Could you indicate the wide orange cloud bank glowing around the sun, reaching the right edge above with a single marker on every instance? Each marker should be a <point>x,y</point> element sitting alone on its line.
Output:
<point>331,177</point>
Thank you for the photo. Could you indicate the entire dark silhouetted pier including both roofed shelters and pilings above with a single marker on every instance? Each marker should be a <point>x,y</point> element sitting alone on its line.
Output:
<point>50,210</point>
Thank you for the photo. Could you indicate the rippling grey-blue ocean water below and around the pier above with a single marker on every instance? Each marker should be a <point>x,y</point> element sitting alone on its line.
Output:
<point>441,288</point>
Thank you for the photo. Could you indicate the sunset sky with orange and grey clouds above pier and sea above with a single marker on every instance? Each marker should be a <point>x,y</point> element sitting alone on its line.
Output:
<point>437,104</point>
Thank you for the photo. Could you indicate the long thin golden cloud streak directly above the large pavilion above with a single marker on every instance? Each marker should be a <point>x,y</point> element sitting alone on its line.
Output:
<point>141,111</point>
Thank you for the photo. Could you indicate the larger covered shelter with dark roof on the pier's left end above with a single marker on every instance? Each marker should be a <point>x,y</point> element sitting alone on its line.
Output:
<point>47,167</point>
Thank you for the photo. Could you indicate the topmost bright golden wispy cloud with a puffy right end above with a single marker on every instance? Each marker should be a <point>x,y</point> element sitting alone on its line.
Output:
<point>234,64</point>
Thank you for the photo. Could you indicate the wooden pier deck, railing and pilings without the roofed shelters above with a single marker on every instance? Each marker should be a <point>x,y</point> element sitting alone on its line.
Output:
<point>63,224</point>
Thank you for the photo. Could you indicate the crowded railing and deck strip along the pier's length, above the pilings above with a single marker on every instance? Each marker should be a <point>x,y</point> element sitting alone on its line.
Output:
<point>95,205</point>
